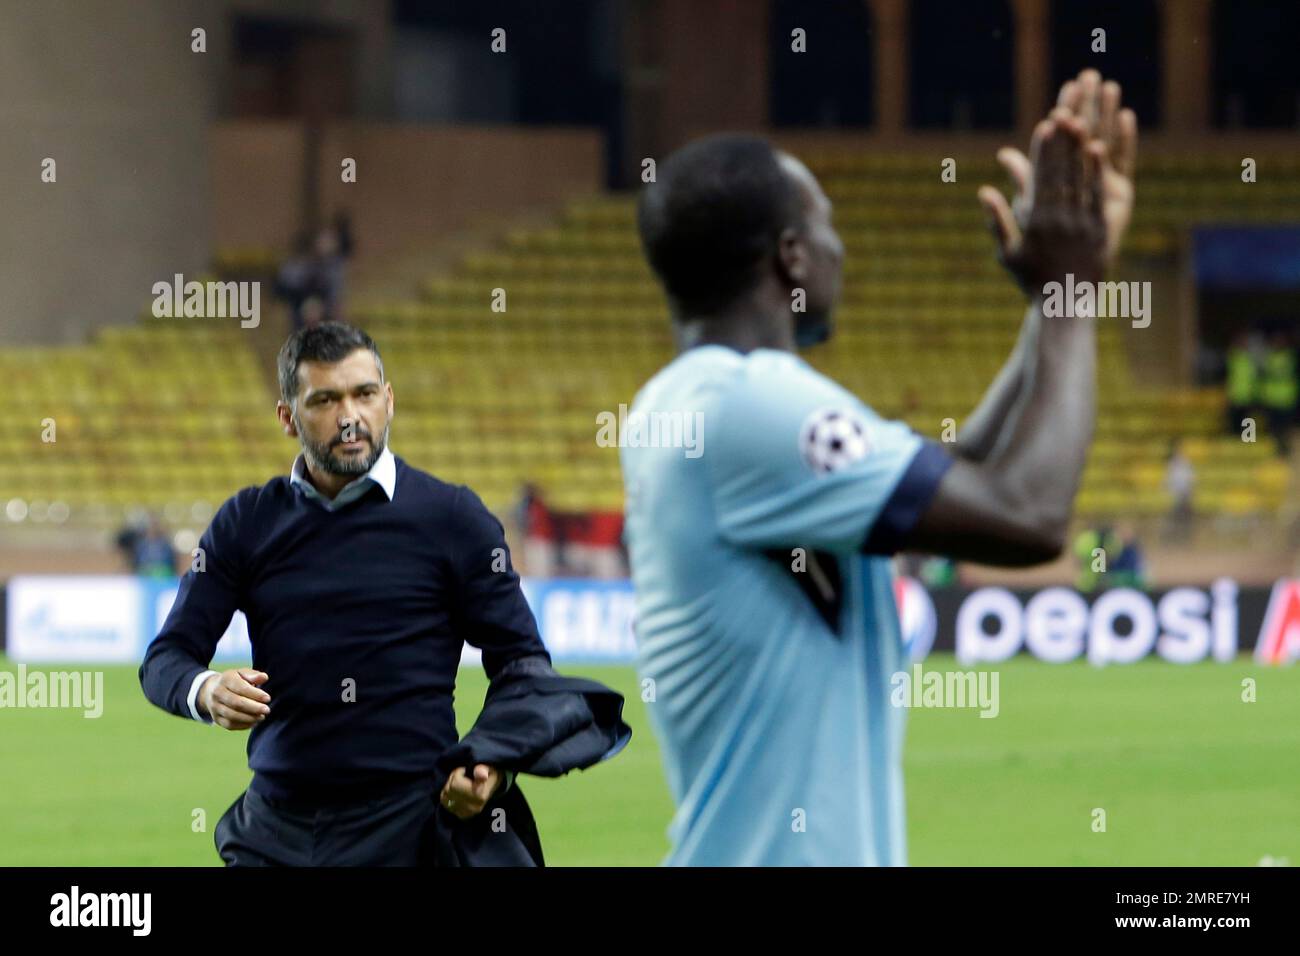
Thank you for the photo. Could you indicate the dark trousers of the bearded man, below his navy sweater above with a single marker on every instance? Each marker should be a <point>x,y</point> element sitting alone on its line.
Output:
<point>393,830</point>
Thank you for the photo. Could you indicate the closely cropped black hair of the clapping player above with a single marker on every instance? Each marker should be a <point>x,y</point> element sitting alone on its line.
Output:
<point>717,210</point>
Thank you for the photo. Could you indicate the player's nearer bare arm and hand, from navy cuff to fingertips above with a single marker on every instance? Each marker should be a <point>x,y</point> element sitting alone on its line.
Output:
<point>1013,507</point>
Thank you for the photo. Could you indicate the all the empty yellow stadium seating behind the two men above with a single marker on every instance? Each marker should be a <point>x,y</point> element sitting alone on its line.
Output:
<point>176,414</point>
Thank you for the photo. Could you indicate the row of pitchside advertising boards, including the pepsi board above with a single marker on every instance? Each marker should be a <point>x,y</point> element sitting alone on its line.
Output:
<point>114,620</point>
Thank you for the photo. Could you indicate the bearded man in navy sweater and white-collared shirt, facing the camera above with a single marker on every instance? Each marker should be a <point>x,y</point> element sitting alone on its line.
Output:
<point>361,578</point>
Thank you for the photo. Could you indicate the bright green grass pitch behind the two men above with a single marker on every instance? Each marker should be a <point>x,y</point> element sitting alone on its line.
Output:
<point>1186,771</point>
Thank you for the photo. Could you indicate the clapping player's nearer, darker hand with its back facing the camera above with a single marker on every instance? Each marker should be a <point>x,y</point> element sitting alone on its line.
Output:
<point>1059,224</point>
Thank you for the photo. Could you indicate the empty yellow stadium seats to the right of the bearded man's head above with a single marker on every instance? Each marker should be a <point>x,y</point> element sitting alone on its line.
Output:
<point>925,325</point>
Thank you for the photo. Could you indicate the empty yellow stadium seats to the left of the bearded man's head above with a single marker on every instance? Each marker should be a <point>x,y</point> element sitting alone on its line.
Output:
<point>170,414</point>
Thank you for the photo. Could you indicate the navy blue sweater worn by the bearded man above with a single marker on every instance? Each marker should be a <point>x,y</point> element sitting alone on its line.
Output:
<point>382,594</point>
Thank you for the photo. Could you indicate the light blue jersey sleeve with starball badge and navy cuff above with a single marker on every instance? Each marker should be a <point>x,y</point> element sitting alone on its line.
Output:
<point>796,461</point>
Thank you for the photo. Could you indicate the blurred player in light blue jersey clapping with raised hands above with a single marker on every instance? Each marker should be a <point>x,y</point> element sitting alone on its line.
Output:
<point>766,617</point>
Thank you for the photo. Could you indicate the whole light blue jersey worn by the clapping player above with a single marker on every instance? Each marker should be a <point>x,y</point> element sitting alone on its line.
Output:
<point>765,607</point>
